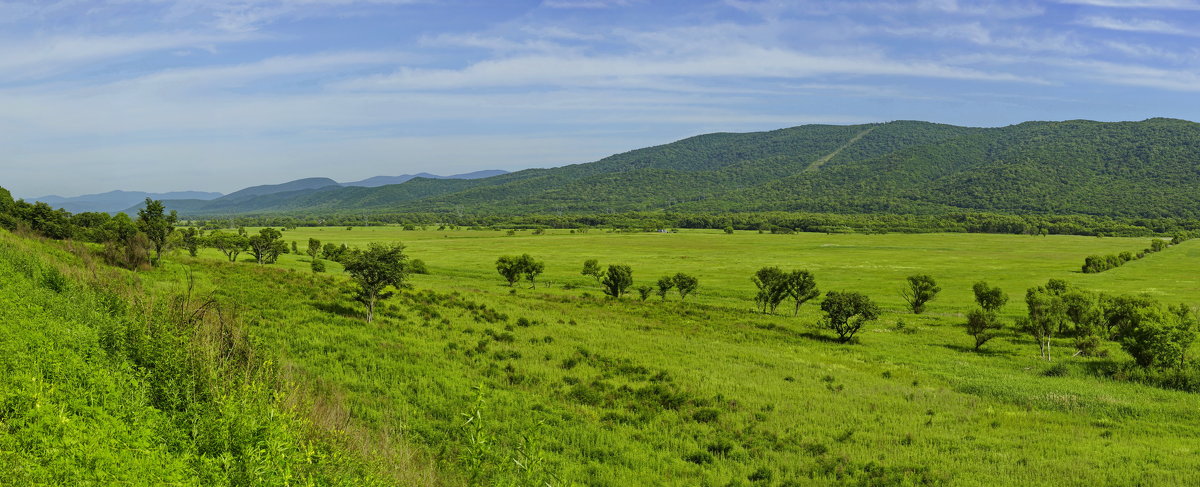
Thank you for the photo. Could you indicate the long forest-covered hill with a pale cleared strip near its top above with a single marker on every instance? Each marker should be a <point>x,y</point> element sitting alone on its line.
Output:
<point>1141,170</point>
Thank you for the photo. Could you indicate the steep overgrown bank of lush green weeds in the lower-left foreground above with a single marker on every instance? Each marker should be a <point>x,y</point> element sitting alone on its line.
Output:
<point>100,384</point>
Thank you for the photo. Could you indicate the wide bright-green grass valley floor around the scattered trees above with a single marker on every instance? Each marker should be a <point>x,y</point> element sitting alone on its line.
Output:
<point>578,389</point>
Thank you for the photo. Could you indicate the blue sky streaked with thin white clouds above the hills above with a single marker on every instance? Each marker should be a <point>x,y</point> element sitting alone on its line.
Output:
<point>218,95</point>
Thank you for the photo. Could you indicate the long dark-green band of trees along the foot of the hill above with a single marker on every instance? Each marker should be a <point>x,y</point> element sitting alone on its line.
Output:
<point>766,223</point>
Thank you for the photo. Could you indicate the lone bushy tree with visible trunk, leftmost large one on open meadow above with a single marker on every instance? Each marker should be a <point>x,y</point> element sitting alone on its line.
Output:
<point>375,270</point>
